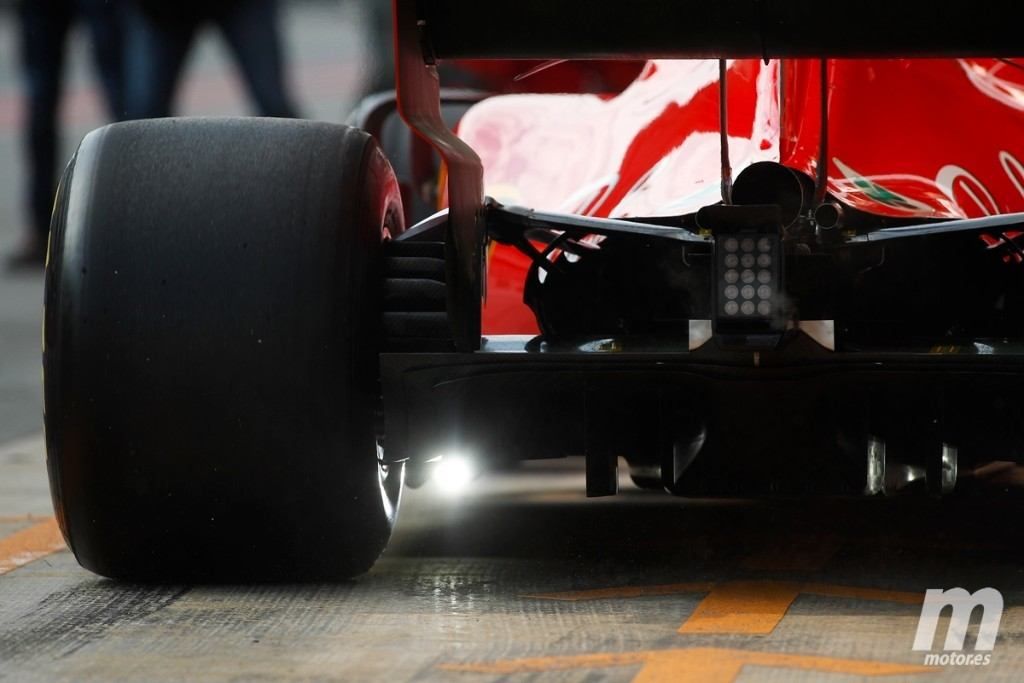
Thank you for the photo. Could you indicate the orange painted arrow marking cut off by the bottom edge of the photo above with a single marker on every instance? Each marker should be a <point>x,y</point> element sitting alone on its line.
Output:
<point>708,665</point>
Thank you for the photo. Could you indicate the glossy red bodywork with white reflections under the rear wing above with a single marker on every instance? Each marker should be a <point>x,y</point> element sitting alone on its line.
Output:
<point>930,139</point>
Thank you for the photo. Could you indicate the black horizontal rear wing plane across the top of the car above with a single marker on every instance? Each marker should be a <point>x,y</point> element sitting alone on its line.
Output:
<point>718,29</point>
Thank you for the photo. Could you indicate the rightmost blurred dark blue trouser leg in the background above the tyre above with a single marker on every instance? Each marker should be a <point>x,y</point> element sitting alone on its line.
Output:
<point>251,28</point>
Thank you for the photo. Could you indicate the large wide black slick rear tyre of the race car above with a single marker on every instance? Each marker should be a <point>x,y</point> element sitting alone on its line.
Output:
<point>210,351</point>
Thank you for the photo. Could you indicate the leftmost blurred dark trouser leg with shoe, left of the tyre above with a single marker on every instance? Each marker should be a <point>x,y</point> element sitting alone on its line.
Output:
<point>45,31</point>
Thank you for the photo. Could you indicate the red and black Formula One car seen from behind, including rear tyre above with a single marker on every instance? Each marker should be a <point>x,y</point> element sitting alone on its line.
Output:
<point>246,348</point>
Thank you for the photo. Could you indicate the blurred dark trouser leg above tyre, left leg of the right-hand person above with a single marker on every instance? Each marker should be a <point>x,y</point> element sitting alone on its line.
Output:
<point>156,42</point>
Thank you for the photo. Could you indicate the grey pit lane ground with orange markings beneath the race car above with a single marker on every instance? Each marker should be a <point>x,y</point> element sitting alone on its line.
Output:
<point>524,579</point>
